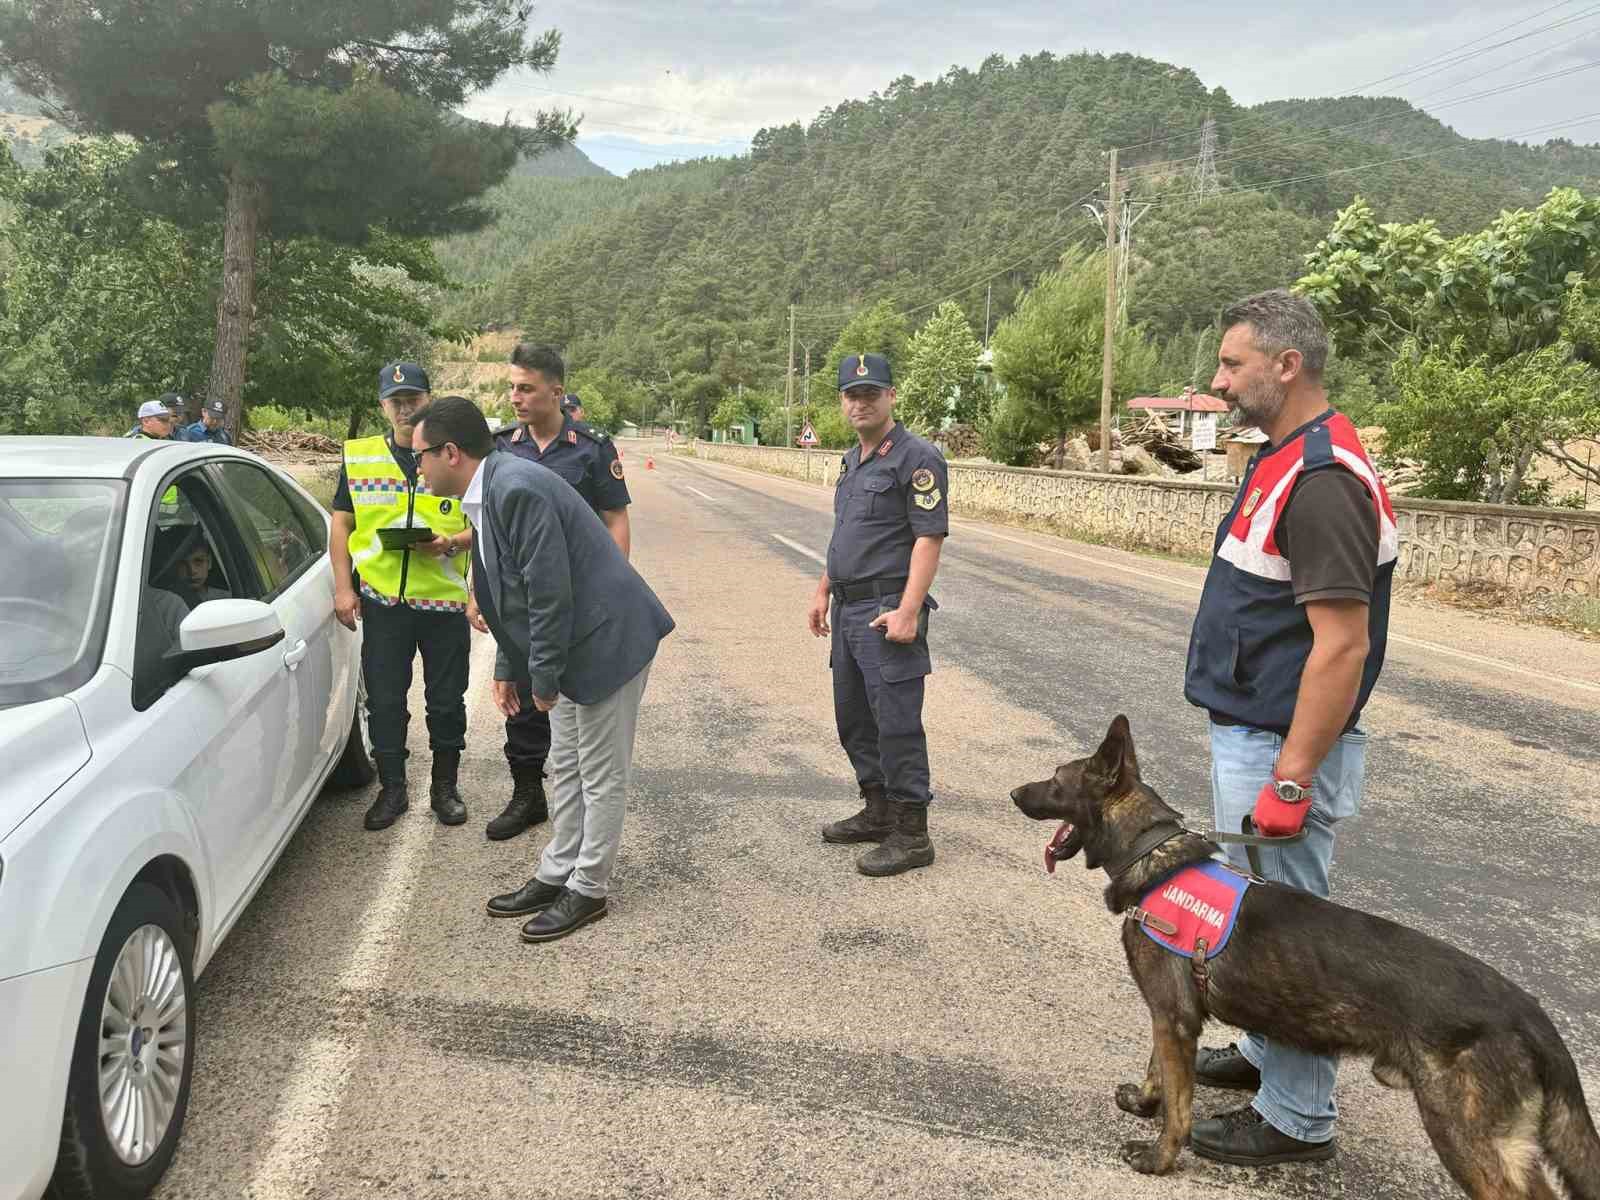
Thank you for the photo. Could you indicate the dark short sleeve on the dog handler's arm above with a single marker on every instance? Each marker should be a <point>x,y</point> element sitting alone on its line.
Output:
<point>1329,534</point>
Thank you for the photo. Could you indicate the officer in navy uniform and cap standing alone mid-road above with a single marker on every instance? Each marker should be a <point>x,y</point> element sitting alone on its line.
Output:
<point>890,521</point>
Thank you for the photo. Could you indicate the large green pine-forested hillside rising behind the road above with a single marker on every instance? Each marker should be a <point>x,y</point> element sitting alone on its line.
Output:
<point>682,278</point>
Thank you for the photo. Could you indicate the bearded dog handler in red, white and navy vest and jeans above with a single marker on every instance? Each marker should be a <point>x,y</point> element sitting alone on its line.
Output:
<point>1286,652</point>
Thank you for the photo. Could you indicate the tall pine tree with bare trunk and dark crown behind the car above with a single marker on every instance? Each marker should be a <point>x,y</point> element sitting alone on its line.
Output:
<point>322,119</point>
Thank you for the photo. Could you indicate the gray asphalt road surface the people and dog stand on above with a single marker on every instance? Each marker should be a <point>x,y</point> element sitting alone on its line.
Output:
<point>758,1020</point>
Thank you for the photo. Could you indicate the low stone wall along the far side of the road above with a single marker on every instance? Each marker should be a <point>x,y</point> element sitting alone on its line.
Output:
<point>1519,548</point>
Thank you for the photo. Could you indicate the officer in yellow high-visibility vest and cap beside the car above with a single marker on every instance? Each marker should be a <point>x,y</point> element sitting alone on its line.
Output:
<point>412,596</point>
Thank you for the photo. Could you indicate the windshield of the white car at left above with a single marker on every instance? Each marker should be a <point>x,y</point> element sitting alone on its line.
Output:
<point>57,542</point>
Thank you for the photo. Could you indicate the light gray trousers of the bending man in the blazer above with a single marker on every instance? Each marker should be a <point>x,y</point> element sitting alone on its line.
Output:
<point>591,762</point>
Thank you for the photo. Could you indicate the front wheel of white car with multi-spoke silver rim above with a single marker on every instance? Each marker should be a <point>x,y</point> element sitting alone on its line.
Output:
<point>129,1084</point>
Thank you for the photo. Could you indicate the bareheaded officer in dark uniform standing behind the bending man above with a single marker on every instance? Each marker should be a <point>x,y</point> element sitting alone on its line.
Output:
<point>546,433</point>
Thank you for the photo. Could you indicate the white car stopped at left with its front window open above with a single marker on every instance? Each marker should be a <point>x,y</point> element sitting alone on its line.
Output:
<point>174,695</point>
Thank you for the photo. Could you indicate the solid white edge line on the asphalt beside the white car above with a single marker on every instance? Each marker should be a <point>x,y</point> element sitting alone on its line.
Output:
<point>308,1113</point>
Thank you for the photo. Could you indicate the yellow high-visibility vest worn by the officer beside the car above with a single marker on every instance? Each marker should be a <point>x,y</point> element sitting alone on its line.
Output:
<point>383,498</point>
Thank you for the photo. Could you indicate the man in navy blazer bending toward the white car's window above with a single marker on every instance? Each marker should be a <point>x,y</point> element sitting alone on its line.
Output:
<point>577,630</point>
